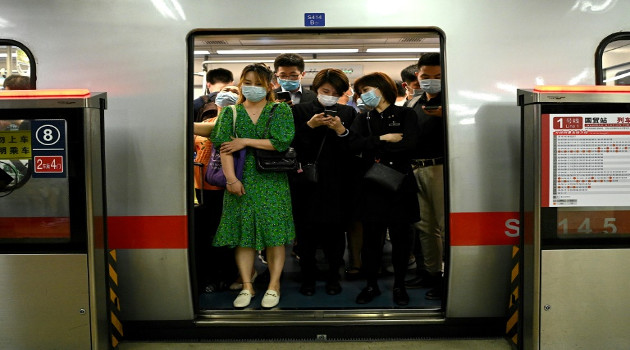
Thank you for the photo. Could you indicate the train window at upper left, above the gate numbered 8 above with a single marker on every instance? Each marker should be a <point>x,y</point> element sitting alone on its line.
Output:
<point>16,62</point>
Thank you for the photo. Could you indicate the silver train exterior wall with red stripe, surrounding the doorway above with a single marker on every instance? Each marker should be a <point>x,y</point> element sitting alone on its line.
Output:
<point>137,52</point>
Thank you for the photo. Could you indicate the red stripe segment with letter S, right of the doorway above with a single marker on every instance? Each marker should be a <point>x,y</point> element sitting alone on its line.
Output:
<point>494,228</point>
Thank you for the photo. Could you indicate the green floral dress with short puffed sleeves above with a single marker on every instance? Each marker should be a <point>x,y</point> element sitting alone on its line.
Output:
<point>262,216</point>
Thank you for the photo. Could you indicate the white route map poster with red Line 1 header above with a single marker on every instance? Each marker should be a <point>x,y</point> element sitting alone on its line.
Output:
<point>586,160</point>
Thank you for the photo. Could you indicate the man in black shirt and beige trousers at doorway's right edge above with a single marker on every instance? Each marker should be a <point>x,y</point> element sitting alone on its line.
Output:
<point>428,171</point>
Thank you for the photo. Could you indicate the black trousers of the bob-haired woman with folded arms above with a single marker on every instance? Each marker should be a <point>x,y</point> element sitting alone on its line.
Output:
<point>400,235</point>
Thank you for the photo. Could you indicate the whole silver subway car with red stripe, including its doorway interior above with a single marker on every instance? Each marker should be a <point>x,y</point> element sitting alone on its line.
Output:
<point>150,58</point>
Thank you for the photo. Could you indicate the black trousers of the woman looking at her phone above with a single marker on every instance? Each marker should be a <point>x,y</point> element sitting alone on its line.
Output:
<point>331,237</point>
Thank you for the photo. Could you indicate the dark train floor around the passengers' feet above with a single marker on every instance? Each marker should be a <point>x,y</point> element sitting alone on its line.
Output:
<point>291,299</point>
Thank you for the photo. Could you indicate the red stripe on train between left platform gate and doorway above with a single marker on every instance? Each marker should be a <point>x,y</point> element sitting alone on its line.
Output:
<point>147,232</point>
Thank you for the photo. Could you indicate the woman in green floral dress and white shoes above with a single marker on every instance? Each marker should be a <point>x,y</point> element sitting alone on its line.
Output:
<point>257,209</point>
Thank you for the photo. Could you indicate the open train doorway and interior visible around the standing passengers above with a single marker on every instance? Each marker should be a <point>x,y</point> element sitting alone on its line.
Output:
<point>356,53</point>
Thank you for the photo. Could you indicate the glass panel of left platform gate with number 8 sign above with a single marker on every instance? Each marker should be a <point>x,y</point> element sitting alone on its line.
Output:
<point>34,186</point>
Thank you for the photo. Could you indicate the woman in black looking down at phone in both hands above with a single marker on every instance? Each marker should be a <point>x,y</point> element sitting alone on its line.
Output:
<point>322,209</point>
